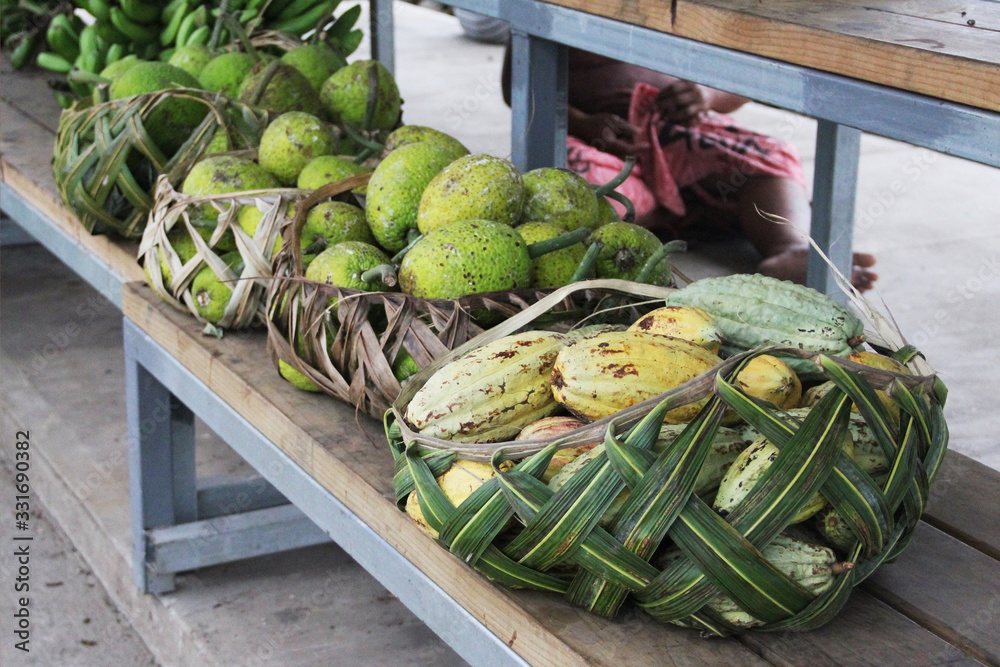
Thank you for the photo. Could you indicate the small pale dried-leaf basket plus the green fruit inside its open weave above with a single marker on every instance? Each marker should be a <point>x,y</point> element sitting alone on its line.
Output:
<point>217,272</point>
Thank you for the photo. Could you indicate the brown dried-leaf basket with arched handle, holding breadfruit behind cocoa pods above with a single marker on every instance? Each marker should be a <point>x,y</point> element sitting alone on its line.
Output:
<point>350,355</point>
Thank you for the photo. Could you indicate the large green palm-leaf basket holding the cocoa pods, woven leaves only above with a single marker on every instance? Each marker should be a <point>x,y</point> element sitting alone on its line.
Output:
<point>554,549</point>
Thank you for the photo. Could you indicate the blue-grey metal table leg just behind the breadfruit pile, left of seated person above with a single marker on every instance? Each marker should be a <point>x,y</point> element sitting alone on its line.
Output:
<point>539,74</point>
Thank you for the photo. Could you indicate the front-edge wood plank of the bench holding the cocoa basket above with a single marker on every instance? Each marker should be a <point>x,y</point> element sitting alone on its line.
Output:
<point>347,454</point>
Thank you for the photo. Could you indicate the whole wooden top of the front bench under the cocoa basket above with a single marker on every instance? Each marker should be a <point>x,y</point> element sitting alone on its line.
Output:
<point>928,603</point>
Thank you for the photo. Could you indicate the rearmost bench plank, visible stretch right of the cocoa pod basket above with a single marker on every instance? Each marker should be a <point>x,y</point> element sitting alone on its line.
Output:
<point>964,502</point>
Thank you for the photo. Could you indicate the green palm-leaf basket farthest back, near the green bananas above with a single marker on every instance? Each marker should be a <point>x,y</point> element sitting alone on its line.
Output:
<point>106,165</point>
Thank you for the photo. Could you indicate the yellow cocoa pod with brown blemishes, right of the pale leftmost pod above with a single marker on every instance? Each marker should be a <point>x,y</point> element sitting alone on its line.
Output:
<point>599,376</point>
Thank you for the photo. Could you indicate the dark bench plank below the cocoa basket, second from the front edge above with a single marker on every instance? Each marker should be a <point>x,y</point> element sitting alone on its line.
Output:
<point>867,632</point>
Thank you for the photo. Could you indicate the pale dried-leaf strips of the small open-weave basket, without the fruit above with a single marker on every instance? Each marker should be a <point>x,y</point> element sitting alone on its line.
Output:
<point>173,209</point>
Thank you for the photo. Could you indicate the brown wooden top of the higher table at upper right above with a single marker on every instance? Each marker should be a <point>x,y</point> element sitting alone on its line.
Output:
<point>951,61</point>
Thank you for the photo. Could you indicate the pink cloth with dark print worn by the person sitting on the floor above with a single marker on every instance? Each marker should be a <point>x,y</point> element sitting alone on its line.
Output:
<point>680,157</point>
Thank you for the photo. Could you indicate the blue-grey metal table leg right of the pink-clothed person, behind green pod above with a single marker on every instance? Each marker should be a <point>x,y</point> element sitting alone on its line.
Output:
<point>835,186</point>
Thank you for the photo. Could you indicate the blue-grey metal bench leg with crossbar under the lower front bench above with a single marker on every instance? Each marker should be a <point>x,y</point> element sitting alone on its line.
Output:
<point>181,522</point>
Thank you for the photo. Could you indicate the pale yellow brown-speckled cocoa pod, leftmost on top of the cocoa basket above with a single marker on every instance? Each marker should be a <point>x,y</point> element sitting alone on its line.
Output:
<point>491,393</point>
